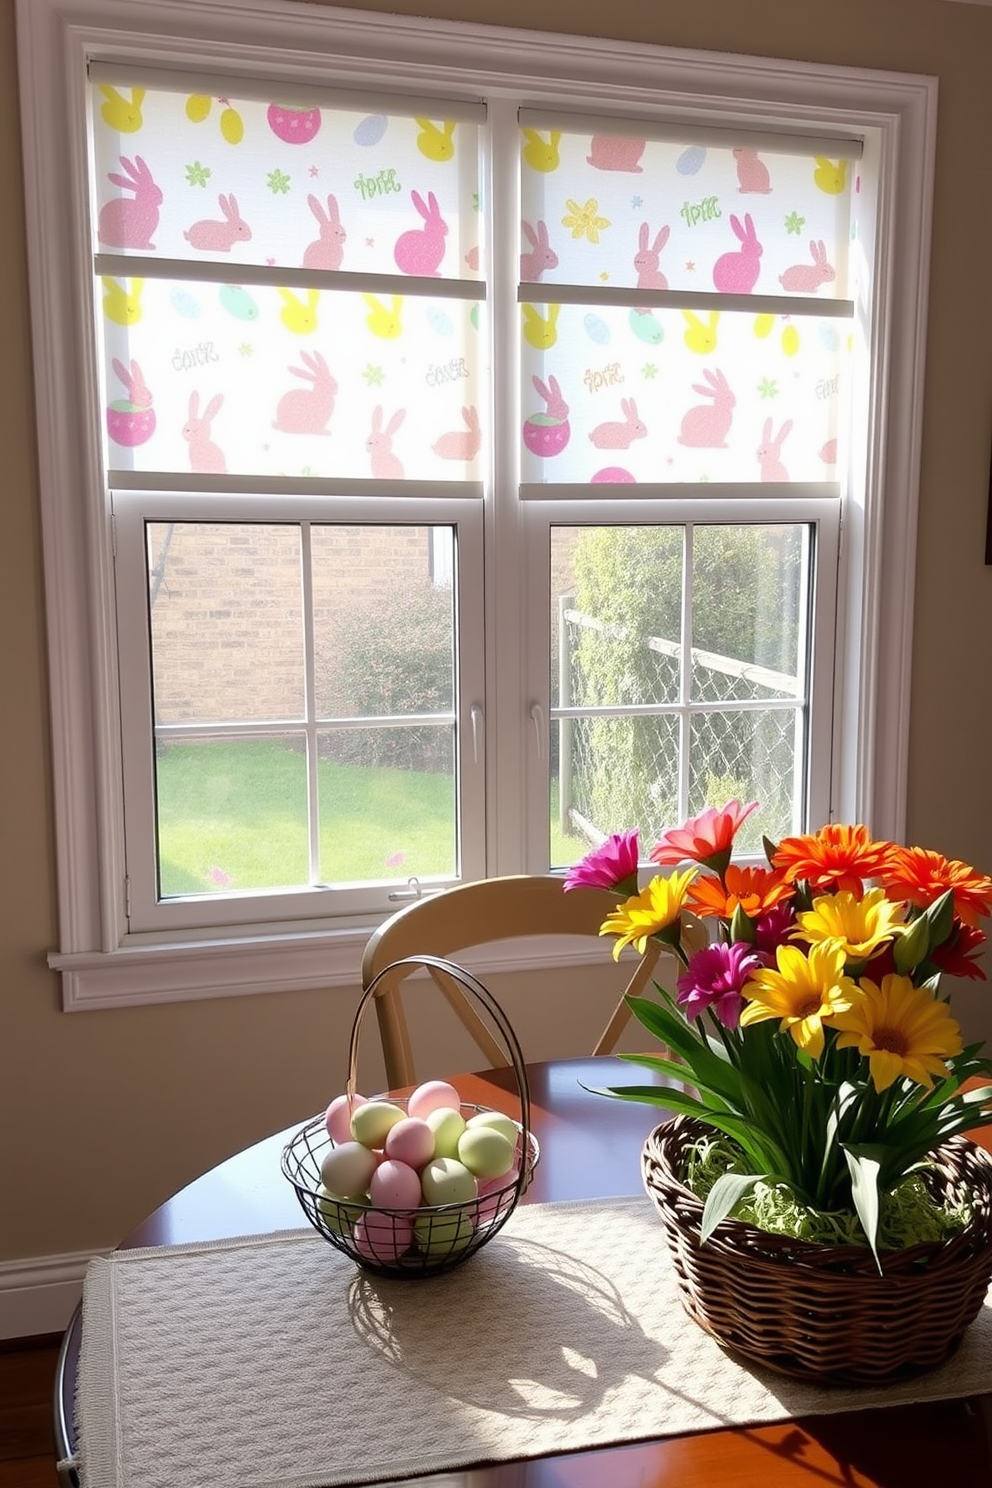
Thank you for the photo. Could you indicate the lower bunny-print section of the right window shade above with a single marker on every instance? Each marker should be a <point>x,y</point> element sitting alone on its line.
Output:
<point>622,395</point>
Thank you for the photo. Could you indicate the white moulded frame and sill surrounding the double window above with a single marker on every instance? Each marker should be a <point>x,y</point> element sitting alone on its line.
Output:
<point>896,114</point>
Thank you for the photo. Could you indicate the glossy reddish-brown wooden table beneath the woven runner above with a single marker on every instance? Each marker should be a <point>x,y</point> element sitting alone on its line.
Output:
<point>591,1149</point>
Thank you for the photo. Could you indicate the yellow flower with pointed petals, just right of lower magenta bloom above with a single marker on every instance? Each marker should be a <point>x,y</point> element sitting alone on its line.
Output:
<point>804,993</point>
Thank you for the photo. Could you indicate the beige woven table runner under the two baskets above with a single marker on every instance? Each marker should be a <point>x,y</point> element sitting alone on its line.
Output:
<point>276,1361</point>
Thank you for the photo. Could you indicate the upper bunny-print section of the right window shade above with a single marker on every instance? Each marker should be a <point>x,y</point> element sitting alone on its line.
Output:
<point>655,215</point>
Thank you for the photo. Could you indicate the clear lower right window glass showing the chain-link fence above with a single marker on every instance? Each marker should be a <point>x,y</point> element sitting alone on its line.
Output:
<point>645,730</point>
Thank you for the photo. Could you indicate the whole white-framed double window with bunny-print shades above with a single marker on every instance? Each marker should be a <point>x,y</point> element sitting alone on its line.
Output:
<point>442,474</point>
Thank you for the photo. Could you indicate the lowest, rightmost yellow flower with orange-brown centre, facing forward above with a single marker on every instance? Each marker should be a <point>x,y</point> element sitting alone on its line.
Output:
<point>904,1030</point>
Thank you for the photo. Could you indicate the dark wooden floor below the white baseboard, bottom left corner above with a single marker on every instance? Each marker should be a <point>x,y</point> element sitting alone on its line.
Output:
<point>28,1447</point>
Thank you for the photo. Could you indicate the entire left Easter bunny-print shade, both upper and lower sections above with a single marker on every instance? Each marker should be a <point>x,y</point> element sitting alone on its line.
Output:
<point>288,291</point>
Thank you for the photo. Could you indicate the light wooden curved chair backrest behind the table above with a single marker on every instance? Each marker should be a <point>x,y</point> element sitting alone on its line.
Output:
<point>477,914</point>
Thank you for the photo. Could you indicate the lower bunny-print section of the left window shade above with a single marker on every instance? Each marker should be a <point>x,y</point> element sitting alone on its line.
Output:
<point>219,379</point>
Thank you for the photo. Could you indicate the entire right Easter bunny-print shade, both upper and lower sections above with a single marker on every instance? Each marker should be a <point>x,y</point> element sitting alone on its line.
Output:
<point>686,309</point>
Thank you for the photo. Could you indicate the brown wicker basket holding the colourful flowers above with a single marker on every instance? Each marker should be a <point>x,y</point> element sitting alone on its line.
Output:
<point>825,1312</point>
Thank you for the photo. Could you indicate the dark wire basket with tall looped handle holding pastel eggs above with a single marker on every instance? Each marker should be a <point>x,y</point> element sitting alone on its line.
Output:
<point>431,1239</point>
